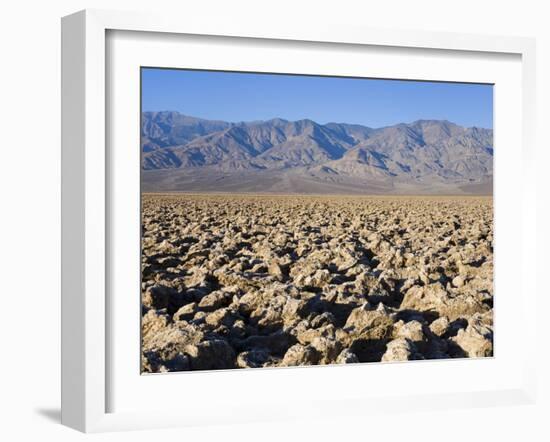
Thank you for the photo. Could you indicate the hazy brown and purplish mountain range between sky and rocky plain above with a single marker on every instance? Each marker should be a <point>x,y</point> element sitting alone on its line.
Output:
<point>184,153</point>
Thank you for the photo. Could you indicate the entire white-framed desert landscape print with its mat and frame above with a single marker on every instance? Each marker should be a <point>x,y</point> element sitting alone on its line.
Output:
<point>303,216</point>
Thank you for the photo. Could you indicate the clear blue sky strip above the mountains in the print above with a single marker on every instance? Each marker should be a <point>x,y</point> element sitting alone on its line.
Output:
<point>375,103</point>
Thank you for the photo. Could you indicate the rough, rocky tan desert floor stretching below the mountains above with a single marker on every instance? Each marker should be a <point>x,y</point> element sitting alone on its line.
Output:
<point>247,281</point>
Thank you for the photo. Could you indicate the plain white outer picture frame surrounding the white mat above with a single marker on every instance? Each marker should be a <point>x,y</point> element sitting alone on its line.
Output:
<point>86,217</point>
